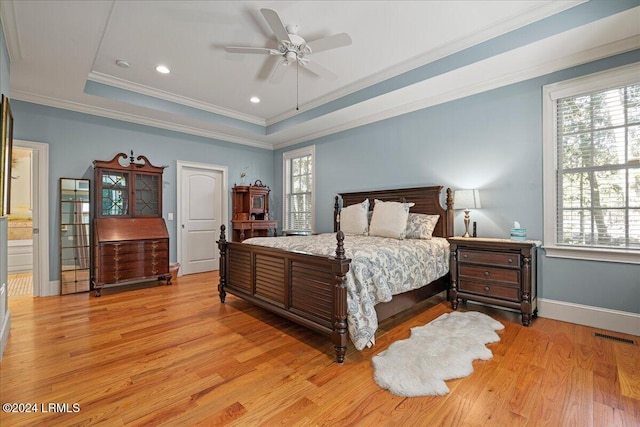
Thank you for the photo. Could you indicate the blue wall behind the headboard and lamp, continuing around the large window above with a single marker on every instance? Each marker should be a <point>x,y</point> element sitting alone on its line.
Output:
<point>491,141</point>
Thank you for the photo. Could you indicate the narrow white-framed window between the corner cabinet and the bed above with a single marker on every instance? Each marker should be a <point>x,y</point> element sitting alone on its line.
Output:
<point>298,191</point>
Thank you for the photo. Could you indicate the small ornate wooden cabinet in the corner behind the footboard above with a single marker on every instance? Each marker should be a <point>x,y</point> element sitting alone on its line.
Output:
<point>251,212</point>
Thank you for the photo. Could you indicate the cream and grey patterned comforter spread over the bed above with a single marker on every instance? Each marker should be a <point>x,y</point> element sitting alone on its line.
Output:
<point>380,268</point>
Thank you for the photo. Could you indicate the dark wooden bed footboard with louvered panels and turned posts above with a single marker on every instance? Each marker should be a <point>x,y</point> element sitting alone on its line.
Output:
<point>305,288</point>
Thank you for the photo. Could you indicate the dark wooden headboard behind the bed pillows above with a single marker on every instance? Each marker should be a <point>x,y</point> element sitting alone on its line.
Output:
<point>426,199</point>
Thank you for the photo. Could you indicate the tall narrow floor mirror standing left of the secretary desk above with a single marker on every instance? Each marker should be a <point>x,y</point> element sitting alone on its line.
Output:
<point>75,236</point>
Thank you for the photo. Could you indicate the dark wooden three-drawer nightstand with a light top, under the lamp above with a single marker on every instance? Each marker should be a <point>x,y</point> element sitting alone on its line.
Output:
<point>500,272</point>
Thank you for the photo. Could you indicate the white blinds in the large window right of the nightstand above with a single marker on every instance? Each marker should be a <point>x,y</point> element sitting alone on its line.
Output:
<point>598,169</point>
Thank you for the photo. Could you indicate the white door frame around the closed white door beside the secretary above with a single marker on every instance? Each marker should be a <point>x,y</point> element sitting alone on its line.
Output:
<point>181,199</point>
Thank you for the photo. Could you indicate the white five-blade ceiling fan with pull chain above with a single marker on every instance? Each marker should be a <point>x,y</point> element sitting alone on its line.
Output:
<point>293,48</point>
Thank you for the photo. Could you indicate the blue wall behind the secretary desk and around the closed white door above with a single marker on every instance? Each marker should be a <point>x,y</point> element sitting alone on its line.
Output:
<point>76,140</point>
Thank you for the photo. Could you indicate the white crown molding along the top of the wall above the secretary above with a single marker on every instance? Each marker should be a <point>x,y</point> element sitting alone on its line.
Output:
<point>133,118</point>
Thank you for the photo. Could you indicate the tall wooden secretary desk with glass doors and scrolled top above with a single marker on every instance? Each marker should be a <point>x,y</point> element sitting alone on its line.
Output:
<point>131,241</point>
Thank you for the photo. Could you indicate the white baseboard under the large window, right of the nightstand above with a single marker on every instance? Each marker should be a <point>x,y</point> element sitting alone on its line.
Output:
<point>596,317</point>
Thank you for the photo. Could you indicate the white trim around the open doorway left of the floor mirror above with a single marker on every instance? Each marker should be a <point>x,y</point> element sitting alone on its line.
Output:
<point>42,286</point>
